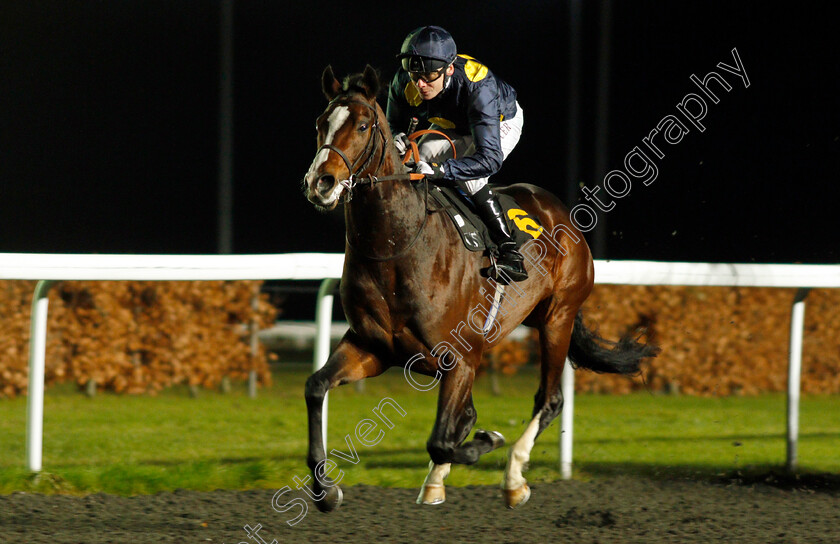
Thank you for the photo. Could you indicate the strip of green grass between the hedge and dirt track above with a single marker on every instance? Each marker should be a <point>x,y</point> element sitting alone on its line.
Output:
<point>128,445</point>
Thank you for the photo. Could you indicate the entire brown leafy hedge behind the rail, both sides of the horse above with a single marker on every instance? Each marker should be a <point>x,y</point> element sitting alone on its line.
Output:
<point>137,337</point>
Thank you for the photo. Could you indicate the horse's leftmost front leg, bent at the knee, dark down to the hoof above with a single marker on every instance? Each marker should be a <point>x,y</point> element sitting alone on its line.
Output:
<point>349,363</point>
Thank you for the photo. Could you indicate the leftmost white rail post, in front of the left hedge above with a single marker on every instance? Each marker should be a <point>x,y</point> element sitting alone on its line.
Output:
<point>37,358</point>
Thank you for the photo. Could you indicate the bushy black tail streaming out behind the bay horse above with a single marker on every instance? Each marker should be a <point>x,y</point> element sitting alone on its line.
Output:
<point>588,350</point>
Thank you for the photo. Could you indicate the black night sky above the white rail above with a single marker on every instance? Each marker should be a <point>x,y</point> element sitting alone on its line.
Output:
<point>109,120</point>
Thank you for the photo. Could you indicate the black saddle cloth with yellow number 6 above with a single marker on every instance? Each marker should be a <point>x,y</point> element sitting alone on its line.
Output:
<point>473,232</point>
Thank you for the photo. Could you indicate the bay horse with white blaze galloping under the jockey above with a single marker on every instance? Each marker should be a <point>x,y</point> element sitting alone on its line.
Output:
<point>408,284</point>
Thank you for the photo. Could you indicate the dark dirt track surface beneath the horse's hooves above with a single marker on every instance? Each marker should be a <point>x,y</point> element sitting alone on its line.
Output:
<point>608,510</point>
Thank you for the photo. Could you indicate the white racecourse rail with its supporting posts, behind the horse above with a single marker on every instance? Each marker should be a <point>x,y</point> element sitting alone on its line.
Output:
<point>49,268</point>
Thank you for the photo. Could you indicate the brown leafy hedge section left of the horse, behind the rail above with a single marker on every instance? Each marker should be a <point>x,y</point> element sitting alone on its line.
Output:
<point>135,337</point>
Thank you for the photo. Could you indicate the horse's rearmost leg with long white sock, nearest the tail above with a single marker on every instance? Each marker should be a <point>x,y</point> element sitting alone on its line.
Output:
<point>555,334</point>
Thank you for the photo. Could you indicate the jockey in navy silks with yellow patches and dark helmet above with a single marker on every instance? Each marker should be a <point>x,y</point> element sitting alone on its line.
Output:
<point>460,97</point>
